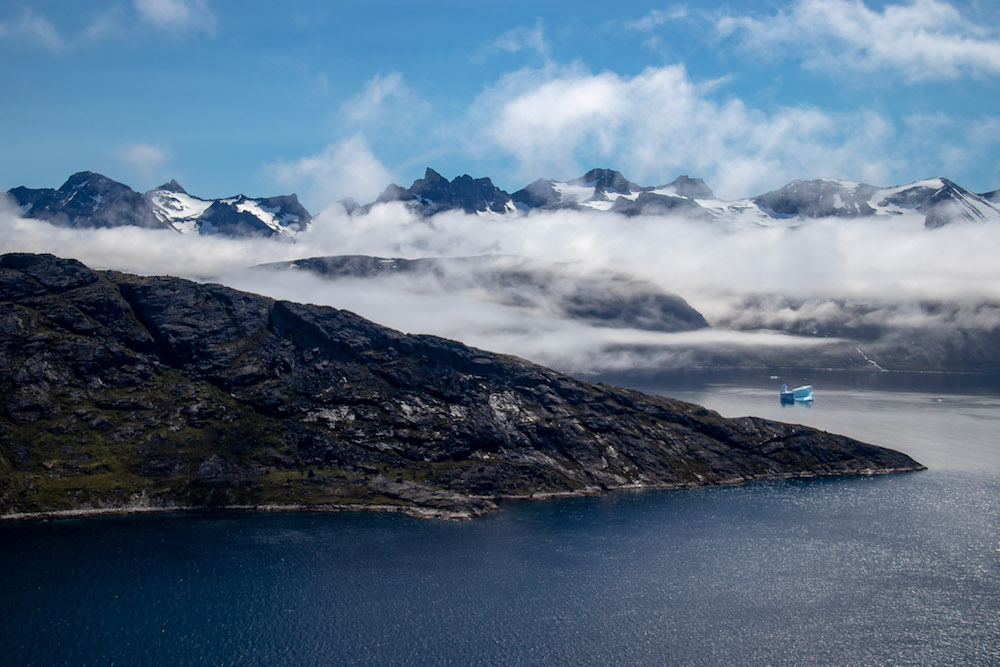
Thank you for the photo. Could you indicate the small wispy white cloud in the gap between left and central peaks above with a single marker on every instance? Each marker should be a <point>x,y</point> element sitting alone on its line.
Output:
<point>345,169</point>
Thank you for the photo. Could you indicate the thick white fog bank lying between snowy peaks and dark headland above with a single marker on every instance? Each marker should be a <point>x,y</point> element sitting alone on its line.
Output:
<point>737,274</point>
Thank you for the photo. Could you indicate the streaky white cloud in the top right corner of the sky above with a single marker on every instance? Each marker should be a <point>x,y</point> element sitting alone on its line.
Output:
<point>921,40</point>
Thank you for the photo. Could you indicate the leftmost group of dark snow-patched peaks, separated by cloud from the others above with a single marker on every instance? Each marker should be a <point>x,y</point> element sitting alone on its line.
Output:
<point>92,200</point>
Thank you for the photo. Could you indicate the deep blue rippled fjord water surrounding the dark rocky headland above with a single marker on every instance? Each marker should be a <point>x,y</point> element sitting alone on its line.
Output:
<point>900,569</point>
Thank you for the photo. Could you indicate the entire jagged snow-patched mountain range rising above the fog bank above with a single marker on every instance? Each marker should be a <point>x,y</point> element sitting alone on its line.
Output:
<point>88,199</point>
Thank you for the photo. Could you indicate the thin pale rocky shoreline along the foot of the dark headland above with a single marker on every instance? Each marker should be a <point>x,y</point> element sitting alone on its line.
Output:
<point>421,512</point>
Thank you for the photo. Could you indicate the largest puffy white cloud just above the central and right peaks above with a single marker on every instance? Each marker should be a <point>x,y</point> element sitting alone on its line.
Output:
<point>660,121</point>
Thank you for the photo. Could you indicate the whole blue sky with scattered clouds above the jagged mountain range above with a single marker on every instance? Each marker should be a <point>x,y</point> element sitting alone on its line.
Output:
<point>335,99</point>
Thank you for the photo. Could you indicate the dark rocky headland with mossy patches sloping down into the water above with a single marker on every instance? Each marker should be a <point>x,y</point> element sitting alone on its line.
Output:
<point>136,392</point>
